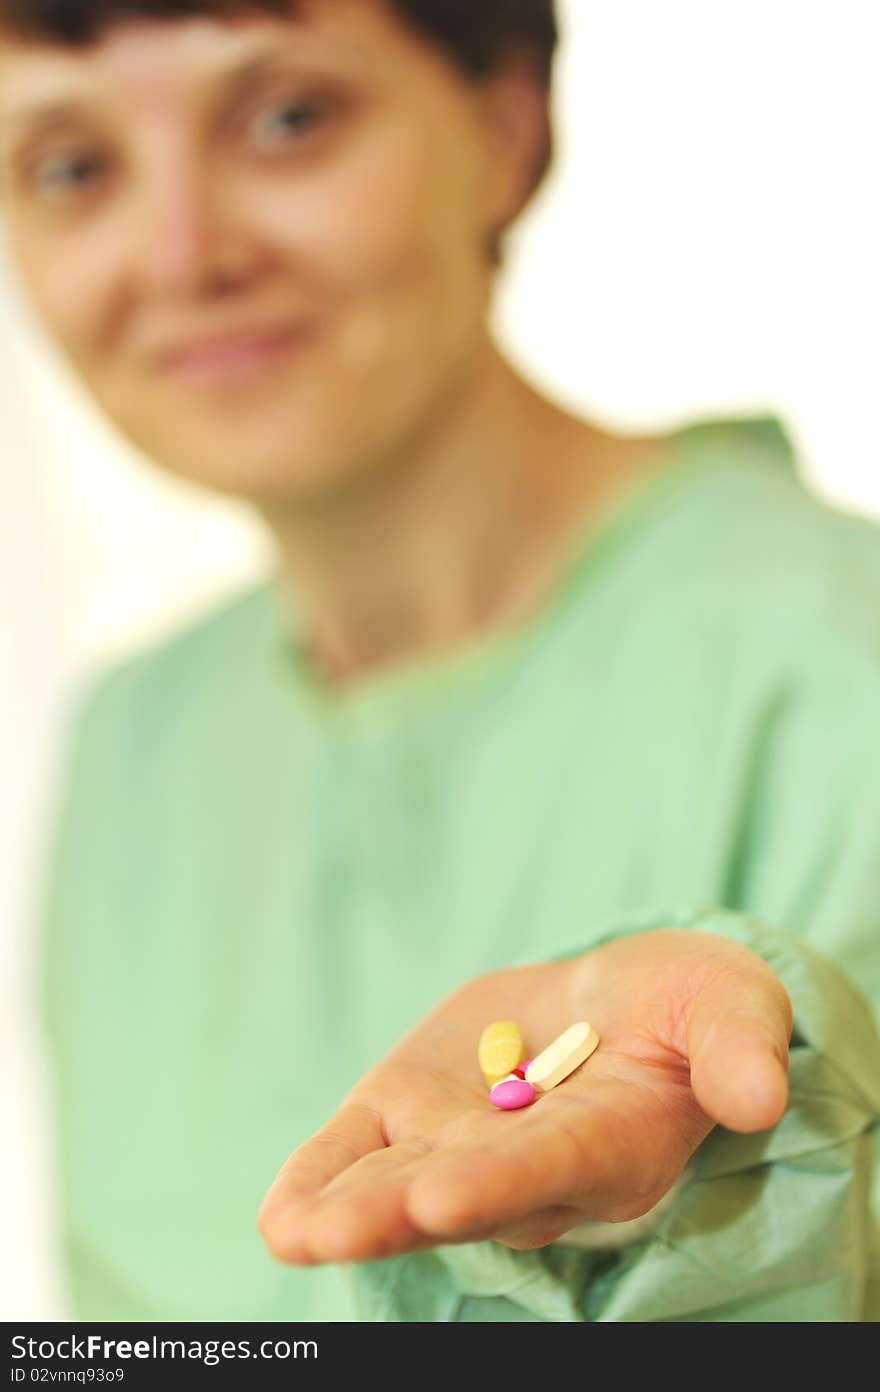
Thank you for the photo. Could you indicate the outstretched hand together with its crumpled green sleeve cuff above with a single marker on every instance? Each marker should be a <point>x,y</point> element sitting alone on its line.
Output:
<point>694,1028</point>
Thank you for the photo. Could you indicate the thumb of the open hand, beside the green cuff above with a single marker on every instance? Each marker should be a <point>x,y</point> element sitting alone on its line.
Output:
<point>739,1036</point>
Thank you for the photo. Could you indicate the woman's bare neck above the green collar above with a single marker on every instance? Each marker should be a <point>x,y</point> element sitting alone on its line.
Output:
<point>453,538</point>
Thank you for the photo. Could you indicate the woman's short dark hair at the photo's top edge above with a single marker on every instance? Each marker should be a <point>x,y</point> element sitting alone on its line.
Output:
<point>478,34</point>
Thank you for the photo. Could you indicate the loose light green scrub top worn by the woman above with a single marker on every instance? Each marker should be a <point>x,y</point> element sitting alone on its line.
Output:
<point>257,886</point>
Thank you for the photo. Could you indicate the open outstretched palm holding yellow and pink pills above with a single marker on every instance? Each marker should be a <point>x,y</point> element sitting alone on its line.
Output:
<point>694,1032</point>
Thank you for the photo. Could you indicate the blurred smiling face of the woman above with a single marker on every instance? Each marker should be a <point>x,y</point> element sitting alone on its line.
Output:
<point>324,187</point>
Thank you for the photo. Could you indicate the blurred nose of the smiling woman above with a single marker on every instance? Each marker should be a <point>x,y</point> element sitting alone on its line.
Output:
<point>190,236</point>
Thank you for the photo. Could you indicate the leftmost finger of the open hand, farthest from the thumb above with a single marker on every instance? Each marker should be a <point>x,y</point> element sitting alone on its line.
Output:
<point>347,1138</point>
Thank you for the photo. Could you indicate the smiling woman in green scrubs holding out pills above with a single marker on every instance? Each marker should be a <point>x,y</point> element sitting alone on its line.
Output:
<point>534,722</point>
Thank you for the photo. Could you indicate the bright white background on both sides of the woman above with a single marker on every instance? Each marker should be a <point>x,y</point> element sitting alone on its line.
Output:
<point>708,244</point>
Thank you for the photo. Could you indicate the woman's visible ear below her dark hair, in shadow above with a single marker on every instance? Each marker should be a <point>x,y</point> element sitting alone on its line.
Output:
<point>516,109</point>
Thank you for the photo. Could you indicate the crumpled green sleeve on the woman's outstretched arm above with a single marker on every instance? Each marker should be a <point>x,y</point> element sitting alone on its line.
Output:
<point>783,1226</point>
